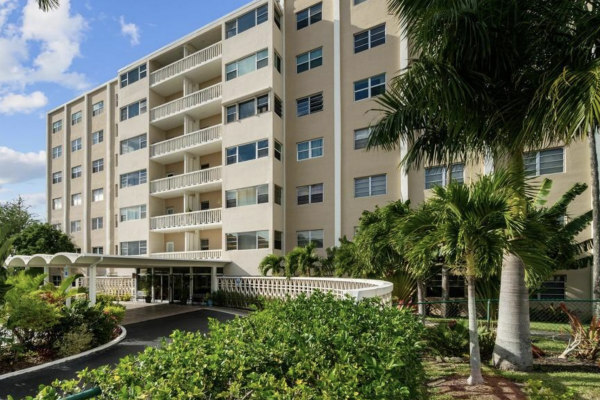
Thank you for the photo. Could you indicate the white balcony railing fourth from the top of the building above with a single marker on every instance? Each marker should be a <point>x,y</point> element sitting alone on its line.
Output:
<point>205,180</point>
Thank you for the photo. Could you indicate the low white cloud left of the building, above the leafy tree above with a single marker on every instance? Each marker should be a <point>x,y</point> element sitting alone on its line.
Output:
<point>18,167</point>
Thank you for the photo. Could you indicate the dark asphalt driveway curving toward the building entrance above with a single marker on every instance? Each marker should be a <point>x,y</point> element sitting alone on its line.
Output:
<point>139,336</point>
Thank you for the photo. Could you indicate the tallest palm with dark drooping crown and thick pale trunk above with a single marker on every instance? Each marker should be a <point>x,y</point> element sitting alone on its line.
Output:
<point>468,94</point>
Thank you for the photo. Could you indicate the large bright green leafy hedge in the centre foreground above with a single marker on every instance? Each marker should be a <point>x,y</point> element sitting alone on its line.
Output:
<point>307,348</point>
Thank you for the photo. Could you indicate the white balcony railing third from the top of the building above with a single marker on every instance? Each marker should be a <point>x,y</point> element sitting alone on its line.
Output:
<point>202,142</point>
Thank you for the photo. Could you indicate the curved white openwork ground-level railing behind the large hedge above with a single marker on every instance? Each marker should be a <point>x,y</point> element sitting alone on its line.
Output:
<point>281,287</point>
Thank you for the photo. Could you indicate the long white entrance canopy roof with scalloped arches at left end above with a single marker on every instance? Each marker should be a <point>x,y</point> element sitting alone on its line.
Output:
<point>87,259</point>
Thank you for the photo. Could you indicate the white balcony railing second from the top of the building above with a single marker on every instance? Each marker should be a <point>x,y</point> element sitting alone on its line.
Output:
<point>201,104</point>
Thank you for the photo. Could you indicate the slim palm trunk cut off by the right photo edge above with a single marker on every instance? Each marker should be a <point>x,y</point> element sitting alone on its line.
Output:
<point>595,221</point>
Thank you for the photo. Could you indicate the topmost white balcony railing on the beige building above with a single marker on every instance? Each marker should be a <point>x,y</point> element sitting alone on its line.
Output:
<point>199,66</point>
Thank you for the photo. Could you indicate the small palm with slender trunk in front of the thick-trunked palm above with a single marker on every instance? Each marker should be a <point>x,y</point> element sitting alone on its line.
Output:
<point>468,227</point>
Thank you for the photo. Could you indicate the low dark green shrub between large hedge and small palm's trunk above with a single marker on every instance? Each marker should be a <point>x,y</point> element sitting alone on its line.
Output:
<point>448,339</point>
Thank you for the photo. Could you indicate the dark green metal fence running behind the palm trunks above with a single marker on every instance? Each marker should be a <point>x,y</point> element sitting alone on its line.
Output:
<point>540,311</point>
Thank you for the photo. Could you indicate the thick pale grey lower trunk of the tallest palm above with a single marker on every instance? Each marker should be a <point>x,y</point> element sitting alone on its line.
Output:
<point>512,350</point>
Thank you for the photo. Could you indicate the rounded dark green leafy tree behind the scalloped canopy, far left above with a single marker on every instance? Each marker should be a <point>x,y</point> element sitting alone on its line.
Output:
<point>40,238</point>
